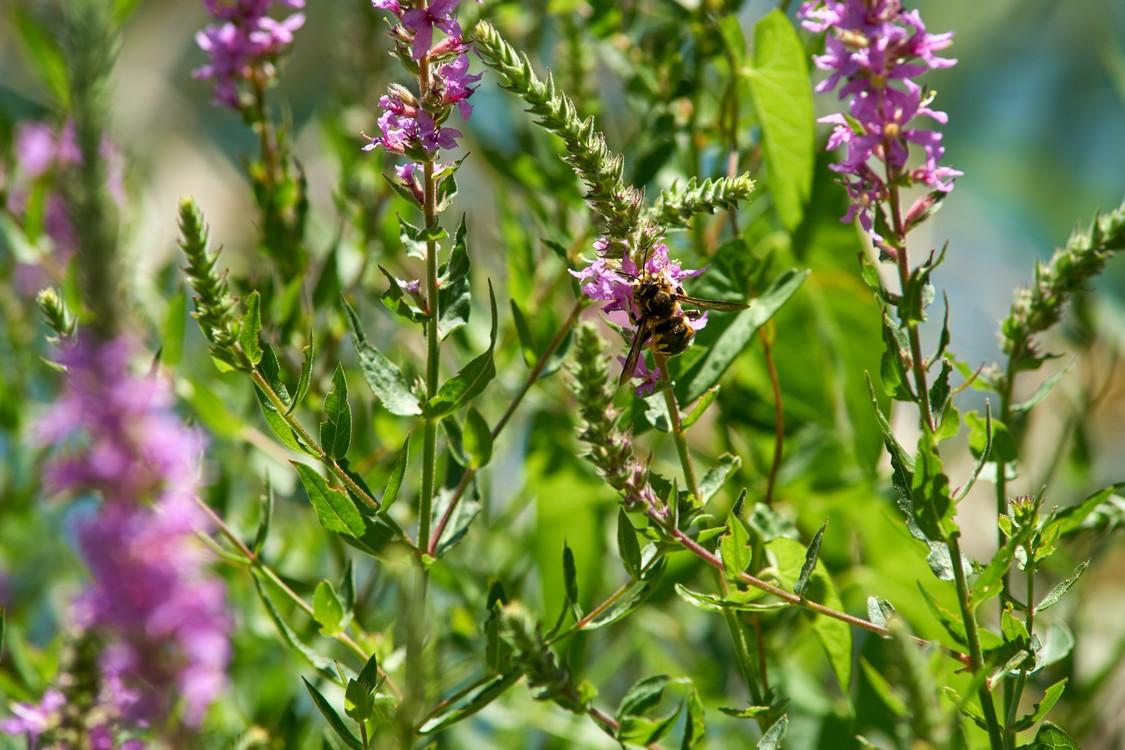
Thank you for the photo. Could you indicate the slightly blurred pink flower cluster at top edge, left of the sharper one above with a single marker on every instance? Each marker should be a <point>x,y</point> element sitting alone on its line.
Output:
<point>245,42</point>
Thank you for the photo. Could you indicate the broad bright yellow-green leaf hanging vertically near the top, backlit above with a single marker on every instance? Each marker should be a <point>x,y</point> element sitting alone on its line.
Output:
<point>784,100</point>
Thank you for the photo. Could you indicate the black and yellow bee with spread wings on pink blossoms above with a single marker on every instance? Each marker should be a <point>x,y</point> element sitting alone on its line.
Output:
<point>661,319</point>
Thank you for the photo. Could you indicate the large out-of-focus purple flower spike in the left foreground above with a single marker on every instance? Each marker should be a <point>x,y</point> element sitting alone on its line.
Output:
<point>161,618</point>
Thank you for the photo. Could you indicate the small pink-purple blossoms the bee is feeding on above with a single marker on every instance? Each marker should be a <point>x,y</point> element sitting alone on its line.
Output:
<point>613,282</point>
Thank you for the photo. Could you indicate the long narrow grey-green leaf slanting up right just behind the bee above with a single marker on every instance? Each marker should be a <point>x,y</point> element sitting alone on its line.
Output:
<point>737,337</point>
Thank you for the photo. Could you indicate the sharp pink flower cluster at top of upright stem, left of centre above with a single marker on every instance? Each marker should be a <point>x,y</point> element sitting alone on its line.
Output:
<point>411,125</point>
